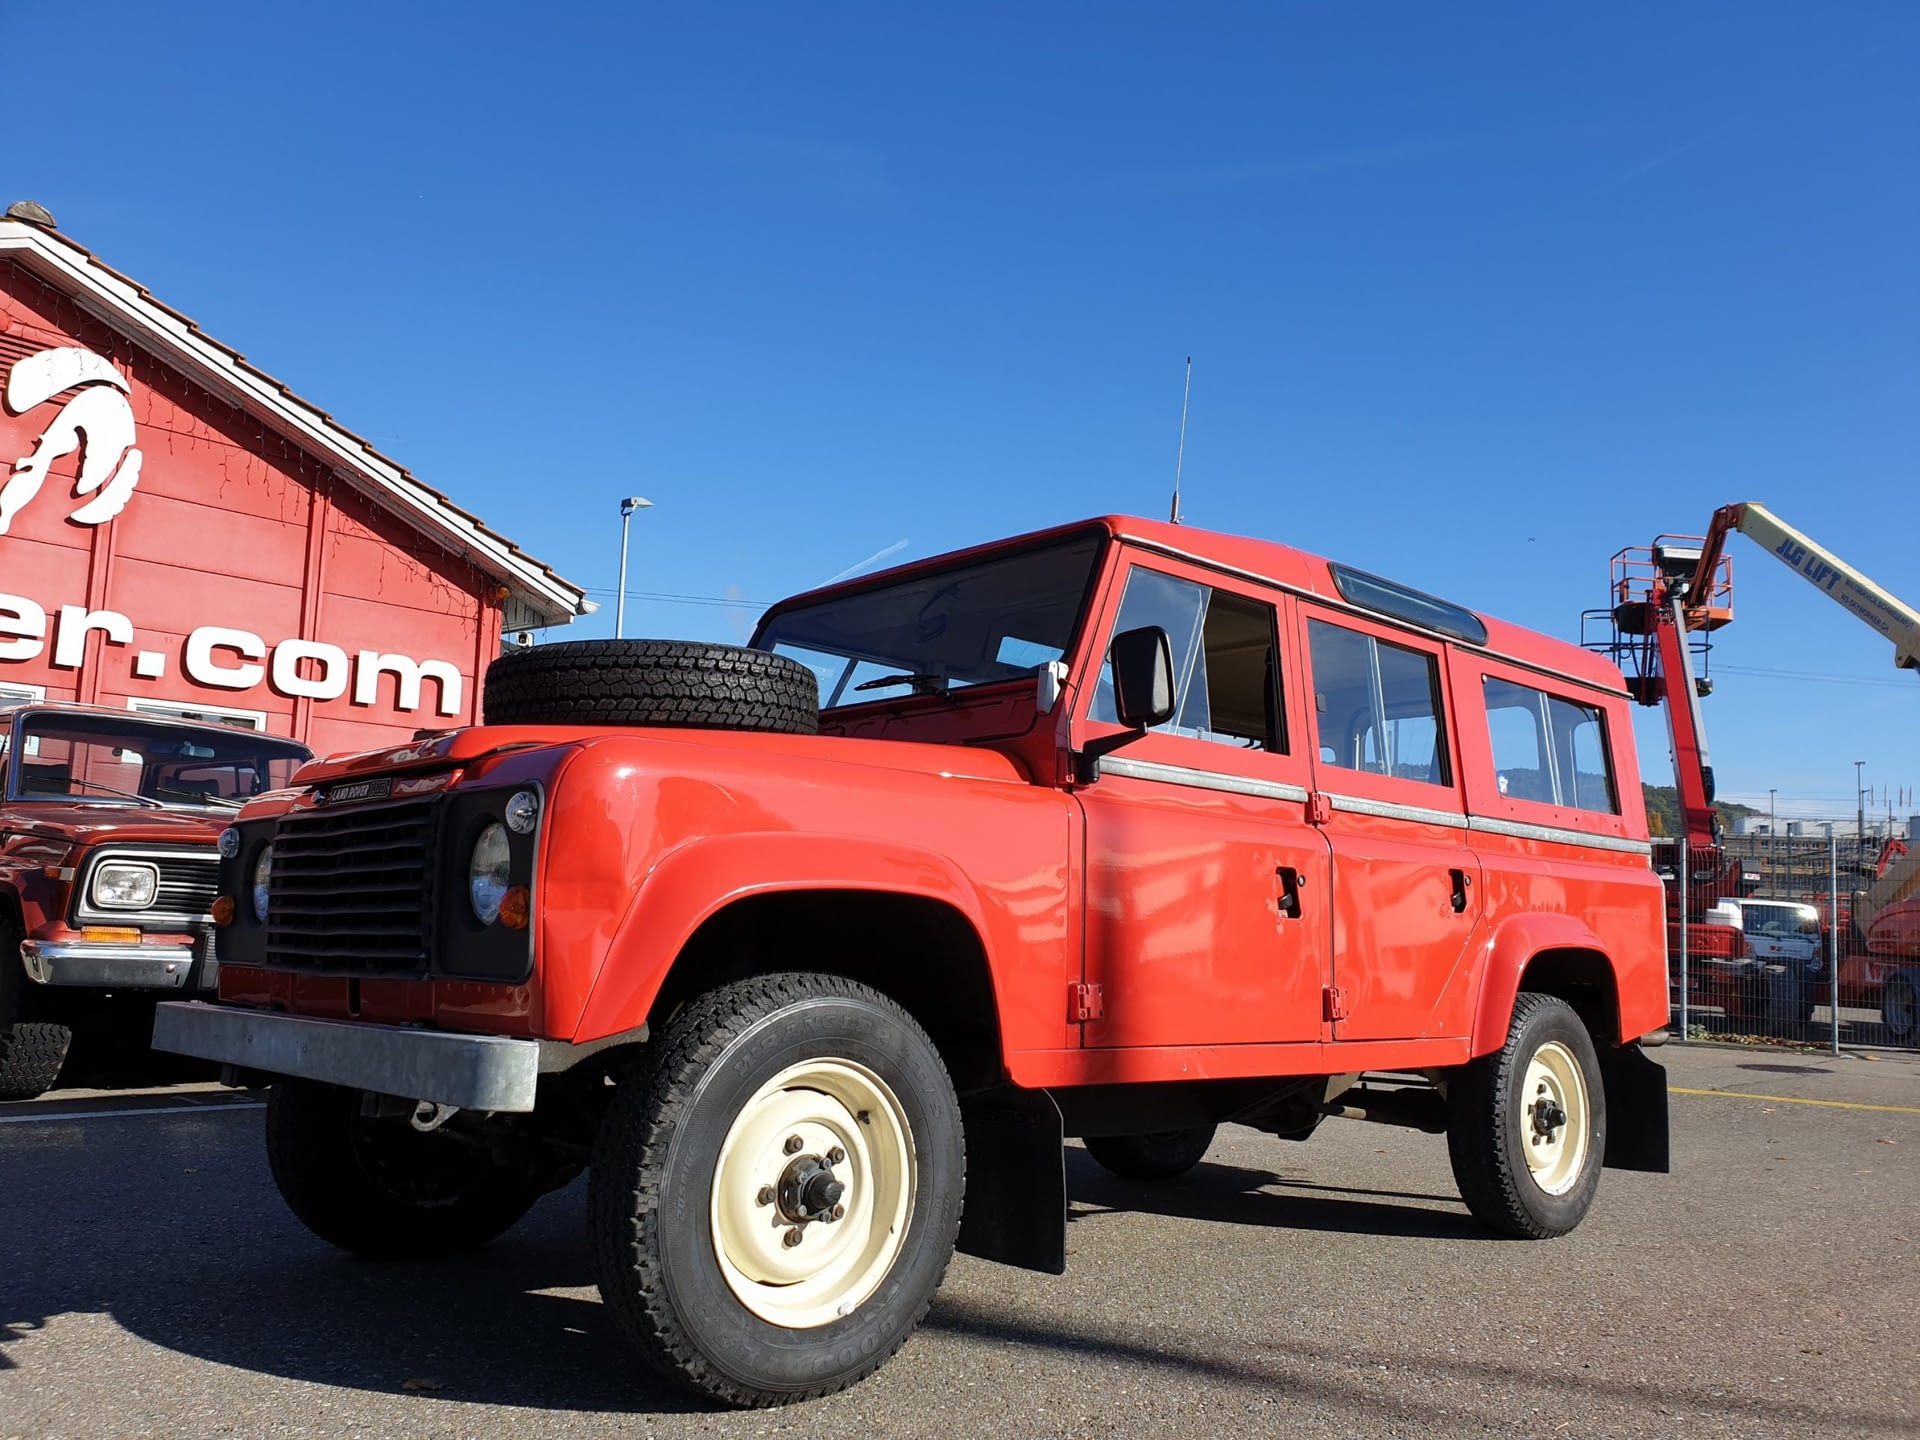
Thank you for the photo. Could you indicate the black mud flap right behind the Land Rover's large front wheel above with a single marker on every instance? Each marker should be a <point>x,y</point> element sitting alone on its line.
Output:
<point>1017,1182</point>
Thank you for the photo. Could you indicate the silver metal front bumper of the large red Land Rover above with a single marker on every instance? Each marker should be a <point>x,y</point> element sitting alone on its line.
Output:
<point>473,1072</point>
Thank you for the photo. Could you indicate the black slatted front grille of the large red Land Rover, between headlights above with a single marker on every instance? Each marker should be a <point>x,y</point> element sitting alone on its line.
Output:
<point>352,890</point>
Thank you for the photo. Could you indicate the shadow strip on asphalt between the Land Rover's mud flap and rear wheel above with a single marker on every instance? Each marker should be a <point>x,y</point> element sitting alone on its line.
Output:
<point>1232,1195</point>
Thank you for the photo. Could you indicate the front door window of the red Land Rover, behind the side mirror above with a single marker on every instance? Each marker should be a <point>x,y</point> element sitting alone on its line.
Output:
<point>1226,681</point>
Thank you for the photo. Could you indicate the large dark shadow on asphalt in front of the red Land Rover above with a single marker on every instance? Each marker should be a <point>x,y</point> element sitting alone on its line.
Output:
<point>498,1326</point>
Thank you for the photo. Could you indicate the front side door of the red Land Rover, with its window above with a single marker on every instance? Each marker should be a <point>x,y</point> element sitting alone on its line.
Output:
<point>1207,888</point>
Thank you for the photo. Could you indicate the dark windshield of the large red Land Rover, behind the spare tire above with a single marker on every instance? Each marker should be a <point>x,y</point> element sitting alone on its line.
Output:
<point>942,631</point>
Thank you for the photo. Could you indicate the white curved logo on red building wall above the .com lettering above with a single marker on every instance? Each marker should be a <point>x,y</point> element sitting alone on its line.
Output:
<point>99,418</point>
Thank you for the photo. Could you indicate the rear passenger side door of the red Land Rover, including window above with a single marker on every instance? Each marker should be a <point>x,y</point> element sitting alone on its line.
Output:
<point>1408,888</point>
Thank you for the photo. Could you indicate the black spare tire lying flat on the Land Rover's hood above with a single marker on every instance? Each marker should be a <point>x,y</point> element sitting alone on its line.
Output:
<point>652,683</point>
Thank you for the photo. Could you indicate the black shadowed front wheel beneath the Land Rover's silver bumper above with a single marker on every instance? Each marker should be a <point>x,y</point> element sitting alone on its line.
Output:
<point>379,1188</point>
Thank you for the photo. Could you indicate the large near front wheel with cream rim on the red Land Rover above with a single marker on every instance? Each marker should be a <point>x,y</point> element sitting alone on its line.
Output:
<point>775,1197</point>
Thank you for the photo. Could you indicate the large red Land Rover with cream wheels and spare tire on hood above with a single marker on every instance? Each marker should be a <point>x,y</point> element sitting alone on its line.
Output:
<point>815,951</point>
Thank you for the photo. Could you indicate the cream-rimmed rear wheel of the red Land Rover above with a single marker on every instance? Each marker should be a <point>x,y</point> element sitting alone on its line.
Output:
<point>1527,1126</point>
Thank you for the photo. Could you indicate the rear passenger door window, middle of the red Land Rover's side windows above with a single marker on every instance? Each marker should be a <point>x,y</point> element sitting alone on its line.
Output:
<point>1378,706</point>
